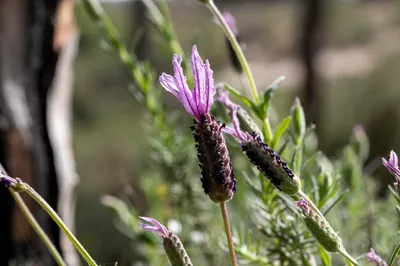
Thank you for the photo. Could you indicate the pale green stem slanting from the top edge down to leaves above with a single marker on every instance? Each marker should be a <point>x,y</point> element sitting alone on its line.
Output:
<point>236,47</point>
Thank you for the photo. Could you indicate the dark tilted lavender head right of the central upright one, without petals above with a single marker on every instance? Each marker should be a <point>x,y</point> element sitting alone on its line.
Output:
<point>271,165</point>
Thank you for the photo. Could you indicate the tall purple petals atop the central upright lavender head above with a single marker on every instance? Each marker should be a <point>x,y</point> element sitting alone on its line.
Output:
<point>197,102</point>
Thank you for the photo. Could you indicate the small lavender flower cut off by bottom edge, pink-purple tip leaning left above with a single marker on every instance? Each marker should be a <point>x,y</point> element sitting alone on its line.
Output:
<point>172,245</point>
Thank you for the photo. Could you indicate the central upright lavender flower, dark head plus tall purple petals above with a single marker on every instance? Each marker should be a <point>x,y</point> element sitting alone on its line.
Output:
<point>217,175</point>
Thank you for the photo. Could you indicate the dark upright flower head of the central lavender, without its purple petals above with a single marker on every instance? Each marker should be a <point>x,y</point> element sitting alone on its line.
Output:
<point>218,179</point>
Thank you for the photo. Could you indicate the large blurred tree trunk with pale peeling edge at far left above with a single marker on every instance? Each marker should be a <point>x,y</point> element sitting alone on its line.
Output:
<point>35,38</point>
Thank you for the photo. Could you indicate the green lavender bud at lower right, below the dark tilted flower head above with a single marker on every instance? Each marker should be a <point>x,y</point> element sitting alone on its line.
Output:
<point>320,228</point>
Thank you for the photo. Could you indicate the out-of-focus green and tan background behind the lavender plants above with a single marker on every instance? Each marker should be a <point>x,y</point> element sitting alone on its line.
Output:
<point>342,58</point>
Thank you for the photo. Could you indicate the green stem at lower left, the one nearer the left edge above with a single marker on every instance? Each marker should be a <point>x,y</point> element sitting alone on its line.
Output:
<point>38,229</point>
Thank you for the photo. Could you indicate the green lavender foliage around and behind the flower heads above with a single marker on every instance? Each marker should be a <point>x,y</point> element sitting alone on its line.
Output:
<point>273,231</point>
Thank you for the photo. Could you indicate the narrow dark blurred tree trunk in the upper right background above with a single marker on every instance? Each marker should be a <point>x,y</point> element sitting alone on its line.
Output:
<point>310,43</point>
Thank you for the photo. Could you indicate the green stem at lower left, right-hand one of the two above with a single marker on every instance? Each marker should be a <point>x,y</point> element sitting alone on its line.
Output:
<point>31,192</point>
